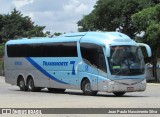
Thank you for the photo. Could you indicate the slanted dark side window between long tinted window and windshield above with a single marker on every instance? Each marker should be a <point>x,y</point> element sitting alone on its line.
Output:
<point>93,55</point>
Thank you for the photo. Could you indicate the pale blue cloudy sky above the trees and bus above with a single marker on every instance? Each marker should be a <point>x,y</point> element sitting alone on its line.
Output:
<point>57,15</point>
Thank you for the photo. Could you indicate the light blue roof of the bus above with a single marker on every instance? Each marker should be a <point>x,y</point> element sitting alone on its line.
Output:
<point>88,37</point>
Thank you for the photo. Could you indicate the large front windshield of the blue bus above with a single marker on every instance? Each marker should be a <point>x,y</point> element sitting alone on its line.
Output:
<point>126,60</point>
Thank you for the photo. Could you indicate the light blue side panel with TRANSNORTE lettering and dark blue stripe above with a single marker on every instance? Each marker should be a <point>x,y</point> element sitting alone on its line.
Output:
<point>60,72</point>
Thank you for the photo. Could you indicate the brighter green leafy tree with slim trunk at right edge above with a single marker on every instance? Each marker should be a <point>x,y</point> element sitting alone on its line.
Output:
<point>148,22</point>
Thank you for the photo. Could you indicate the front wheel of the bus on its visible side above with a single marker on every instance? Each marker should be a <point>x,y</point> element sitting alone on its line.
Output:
<point>86,88</point>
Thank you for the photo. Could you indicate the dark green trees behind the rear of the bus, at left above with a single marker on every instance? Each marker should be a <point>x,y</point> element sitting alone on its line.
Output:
<point>15,25</point>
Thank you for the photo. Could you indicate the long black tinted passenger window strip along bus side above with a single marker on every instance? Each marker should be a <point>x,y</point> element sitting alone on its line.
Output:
<point>68,49</point>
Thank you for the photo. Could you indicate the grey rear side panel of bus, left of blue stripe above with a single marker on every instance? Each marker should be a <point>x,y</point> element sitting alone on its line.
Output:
<point>20,66</point>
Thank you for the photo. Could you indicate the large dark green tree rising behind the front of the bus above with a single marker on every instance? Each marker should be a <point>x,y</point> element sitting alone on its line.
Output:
<point>111,15</point>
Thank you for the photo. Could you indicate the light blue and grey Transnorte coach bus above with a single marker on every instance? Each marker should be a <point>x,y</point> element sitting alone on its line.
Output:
<point>89,61</point>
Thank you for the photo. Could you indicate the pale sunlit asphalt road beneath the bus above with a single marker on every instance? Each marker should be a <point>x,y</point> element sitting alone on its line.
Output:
<point>12,97</point>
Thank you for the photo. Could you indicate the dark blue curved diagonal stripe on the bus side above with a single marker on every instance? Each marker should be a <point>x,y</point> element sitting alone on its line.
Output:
<point>43,71</point>
